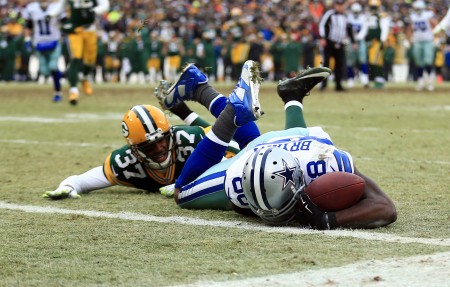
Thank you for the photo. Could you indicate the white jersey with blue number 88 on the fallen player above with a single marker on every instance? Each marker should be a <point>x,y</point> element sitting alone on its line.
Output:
<point>316,153</point>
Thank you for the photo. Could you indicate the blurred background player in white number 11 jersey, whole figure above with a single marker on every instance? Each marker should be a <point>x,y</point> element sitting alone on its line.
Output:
<point>43,23</point>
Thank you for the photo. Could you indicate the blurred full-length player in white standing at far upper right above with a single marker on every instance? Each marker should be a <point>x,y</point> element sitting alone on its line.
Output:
<point>420,32</point>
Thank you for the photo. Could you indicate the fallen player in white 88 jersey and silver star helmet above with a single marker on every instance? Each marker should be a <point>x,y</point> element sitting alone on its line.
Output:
<point>268,177</point>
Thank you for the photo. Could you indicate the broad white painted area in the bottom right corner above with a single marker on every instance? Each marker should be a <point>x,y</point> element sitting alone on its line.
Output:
<point>423,270</point>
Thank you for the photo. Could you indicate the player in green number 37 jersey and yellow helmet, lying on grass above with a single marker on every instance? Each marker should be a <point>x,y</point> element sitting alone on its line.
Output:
<point>155,152</point>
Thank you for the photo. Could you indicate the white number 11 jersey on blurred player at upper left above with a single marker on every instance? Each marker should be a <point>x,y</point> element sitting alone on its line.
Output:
<point>46,30</point>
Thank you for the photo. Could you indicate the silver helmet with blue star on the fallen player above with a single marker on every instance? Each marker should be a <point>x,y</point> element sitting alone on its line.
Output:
<point>272,177</point>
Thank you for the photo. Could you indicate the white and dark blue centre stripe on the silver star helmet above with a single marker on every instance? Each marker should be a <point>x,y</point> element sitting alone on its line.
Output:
<point>257,181</point>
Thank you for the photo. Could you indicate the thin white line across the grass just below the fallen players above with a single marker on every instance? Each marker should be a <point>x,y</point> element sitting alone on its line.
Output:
<point>228,224</point>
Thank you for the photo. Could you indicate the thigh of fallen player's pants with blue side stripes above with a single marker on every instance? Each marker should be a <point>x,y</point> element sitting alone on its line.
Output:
<point>207,191</point>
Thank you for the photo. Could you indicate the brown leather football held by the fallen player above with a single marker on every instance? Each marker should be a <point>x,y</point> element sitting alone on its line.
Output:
<point>336,190</point>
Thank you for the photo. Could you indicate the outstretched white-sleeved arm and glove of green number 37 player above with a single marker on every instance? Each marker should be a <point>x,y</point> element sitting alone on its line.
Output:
<point>75,185</point>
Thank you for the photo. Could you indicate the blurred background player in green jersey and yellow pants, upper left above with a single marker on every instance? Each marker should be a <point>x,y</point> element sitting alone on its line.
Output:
<point>81,35</point>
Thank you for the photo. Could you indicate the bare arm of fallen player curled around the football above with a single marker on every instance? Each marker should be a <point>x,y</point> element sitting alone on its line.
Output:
<point>375,208</point>
